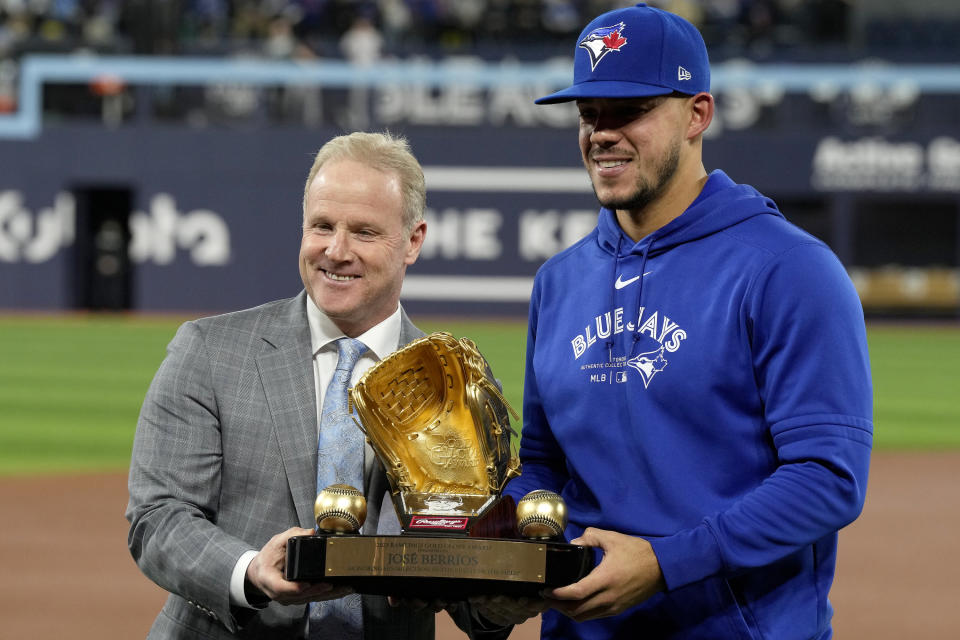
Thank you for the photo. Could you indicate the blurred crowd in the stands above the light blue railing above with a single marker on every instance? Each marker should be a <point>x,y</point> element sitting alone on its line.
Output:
<point>532,28</point>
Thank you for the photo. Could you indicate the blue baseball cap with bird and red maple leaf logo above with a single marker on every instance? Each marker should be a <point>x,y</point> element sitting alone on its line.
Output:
<point>636,52</point>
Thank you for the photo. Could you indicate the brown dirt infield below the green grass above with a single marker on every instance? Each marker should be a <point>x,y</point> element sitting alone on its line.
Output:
<point>65,571</point>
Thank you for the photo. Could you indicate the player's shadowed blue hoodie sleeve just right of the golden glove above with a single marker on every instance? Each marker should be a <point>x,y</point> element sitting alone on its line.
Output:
<point>544,464</point>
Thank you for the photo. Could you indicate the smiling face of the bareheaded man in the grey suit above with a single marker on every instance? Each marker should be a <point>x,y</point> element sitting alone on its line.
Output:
<point>355,251</point>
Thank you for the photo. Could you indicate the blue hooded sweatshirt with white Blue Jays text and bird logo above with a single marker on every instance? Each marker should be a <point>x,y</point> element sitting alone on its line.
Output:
<point>707,388</point>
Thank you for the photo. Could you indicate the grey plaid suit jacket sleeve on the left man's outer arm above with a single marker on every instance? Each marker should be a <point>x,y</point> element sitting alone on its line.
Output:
<point>175,479</point>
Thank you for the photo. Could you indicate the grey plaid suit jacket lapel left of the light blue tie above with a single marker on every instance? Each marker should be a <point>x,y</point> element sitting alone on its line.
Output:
<point>286,372</point>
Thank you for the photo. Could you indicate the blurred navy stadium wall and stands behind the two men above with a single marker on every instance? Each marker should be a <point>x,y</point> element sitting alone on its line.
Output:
<point>172,182</point>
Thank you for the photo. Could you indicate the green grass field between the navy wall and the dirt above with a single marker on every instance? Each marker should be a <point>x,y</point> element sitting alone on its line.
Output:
<point>71,387</point>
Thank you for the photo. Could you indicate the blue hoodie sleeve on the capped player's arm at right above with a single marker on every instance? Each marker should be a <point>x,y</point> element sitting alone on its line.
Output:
<point>809,351</point>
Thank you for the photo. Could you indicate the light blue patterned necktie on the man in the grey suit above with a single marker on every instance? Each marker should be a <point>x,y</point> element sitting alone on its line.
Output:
<point>339,460</point>
